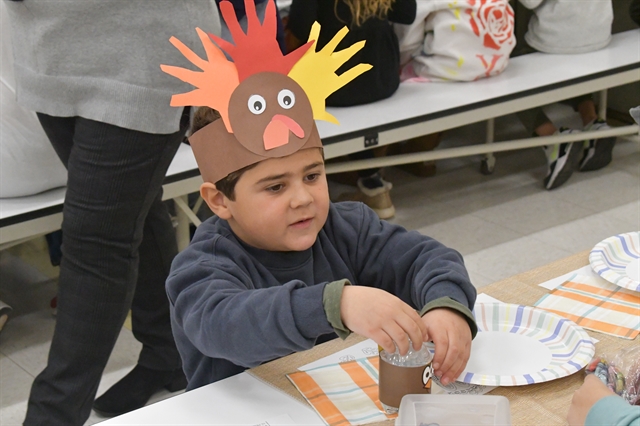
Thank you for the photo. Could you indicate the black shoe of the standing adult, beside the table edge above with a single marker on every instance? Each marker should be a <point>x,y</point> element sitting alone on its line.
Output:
<point>135,389</point>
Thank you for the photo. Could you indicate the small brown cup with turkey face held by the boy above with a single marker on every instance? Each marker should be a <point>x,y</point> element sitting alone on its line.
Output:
<point>396,382</point>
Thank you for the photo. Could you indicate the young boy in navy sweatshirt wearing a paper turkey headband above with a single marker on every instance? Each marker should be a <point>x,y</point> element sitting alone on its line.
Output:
<point>280,268</point>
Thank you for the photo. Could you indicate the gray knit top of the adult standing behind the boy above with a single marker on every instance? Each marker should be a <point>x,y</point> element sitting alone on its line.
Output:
<point>100,59</point>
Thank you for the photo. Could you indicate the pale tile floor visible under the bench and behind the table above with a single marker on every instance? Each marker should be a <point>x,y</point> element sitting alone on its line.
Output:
<point>503,224</point>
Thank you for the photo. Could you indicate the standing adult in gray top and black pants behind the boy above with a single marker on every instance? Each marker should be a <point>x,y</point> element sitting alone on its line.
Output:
<point>105,110</point>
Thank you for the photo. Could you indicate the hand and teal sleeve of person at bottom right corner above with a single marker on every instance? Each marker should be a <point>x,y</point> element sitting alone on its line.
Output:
<point>594,404</point>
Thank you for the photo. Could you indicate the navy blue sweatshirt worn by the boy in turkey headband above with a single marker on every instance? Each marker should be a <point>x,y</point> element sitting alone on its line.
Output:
<point>235,307</point>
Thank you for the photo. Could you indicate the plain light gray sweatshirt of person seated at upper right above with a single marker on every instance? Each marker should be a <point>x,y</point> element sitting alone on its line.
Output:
<point>569,26</point>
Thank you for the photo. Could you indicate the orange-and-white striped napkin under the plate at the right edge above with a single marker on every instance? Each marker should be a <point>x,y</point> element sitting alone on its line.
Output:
<point>596,304</point>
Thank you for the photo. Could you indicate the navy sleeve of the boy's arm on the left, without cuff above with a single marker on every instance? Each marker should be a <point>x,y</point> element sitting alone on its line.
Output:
<point>216,306</point>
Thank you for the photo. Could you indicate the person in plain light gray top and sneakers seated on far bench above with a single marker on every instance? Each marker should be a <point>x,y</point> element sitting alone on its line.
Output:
<point>567,27</point>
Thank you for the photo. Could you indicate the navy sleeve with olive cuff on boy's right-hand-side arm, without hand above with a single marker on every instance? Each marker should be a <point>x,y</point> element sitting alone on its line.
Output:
<point>421,271</point>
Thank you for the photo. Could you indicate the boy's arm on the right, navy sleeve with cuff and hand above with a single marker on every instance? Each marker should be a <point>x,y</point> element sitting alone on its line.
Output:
<point>423,273</point>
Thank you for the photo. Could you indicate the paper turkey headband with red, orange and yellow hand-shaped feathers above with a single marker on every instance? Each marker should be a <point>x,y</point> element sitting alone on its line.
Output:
<point>267,101</point>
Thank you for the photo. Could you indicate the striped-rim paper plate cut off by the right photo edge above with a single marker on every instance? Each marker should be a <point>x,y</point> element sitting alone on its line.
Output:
<point>617,260</point>
